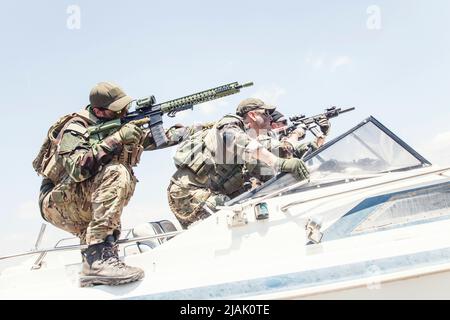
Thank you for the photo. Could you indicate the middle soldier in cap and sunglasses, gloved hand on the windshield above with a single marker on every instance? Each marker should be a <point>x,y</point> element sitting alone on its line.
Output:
<point>213,165</point>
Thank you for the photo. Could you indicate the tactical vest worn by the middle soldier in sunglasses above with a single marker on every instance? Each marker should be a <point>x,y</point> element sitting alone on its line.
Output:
<point>200,154</point>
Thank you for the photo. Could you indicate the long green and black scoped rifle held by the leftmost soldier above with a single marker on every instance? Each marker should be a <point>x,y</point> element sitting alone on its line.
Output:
<point>148,113</point>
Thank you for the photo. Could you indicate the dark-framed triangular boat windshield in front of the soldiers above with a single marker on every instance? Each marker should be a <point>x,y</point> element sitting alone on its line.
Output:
<point>368,148</point>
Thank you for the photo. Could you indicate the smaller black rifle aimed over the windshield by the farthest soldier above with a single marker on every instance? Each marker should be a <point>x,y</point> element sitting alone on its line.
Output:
<point>310,123</point>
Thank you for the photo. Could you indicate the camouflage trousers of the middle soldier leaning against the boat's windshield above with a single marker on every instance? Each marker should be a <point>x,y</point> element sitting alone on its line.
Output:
<point>186,202</point>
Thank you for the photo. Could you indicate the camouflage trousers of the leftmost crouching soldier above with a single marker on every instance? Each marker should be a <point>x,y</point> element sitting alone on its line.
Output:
<point>91,209</point>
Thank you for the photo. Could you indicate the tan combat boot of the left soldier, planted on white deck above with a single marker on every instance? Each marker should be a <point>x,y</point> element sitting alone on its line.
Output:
<point>101,265</point>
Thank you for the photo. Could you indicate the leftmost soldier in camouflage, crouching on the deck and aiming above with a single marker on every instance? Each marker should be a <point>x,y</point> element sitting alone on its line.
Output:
<point>89,180</point>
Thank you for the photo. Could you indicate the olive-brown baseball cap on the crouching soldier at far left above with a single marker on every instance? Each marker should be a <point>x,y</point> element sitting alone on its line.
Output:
<point>107,95</point>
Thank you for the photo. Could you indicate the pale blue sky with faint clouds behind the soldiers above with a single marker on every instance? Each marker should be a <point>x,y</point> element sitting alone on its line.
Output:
<point>302,55</point>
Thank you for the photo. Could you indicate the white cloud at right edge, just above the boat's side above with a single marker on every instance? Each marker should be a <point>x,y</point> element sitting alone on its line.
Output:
<point>437,150</point>
